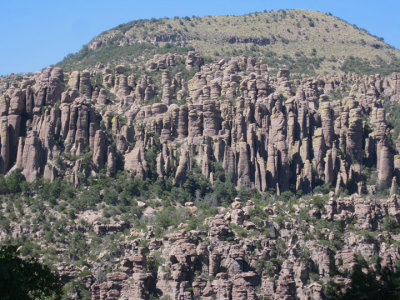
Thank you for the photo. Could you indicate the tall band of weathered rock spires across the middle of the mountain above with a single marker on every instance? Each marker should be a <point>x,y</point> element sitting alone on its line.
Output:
<point>268,132</point>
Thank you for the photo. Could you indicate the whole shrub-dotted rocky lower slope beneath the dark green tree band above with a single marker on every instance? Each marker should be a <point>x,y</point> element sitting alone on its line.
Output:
<point>269,248</point>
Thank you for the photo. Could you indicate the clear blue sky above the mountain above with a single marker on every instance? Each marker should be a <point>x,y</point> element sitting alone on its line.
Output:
<point>35,34</point>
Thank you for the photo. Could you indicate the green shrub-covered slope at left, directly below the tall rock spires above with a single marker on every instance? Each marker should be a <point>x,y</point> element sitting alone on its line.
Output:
<point>53,210</point>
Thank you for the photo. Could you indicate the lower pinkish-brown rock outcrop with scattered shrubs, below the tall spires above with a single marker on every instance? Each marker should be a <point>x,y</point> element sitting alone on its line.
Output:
<point>293,258</point>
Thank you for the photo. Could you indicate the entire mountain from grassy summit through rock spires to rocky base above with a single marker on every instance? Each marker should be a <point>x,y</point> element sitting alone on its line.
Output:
<point>173,174</point>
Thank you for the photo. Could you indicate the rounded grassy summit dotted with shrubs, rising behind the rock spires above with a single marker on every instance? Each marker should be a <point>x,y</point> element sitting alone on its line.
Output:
<point>303,41</point>
